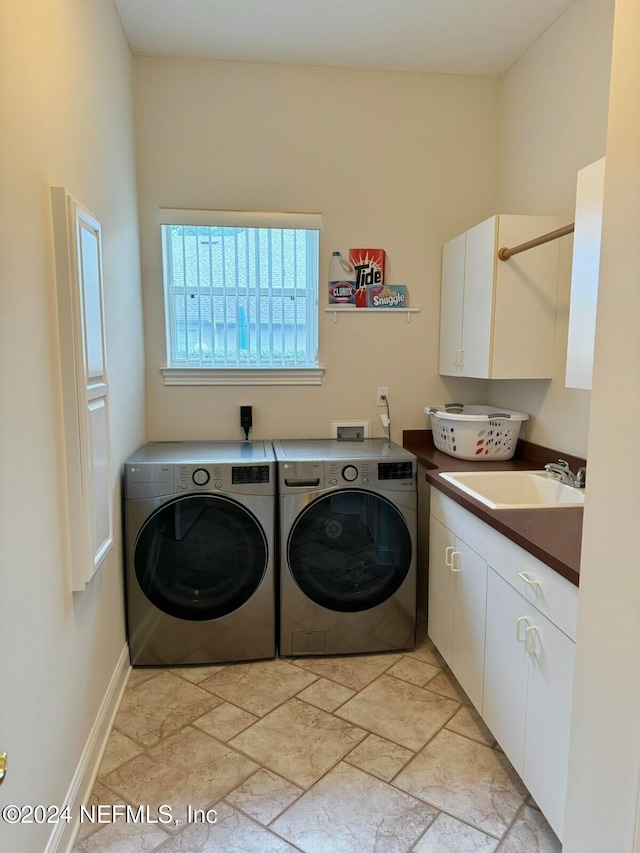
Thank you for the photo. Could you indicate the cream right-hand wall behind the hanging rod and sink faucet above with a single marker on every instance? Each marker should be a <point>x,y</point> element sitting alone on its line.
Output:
<point>553,116</point>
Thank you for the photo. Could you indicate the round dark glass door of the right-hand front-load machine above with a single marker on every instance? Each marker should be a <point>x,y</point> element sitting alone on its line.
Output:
<point>349,550</point>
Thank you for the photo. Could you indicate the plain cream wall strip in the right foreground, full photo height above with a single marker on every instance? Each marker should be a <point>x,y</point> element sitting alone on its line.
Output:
<point>604,767</point>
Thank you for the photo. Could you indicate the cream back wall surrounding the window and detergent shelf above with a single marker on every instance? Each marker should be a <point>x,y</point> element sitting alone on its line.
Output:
<point>399,161</point>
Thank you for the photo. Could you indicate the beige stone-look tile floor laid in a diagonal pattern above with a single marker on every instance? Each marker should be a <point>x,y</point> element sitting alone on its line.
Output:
<point>364,754</point>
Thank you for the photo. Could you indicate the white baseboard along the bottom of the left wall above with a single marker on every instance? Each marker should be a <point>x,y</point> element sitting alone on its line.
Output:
<point>64,834</point>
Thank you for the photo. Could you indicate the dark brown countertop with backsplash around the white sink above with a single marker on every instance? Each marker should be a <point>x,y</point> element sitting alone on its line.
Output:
<point>552,535</point>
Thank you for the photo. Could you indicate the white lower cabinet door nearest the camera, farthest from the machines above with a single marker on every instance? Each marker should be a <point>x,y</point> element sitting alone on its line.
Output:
<point>550,684</point>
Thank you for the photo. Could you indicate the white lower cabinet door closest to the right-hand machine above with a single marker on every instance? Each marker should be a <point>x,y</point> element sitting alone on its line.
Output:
<point>441,588</point>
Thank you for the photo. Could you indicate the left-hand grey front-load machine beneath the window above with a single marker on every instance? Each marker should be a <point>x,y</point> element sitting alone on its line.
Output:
<point>200,527</point>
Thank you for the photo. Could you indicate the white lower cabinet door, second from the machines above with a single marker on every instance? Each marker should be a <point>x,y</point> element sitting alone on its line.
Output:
<point>469,612</point>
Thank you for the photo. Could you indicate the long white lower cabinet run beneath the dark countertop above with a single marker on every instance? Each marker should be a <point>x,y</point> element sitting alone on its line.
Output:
<point>505,624</point>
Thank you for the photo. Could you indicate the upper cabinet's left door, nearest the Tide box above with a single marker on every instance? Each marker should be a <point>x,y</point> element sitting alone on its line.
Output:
<point>451,305</point>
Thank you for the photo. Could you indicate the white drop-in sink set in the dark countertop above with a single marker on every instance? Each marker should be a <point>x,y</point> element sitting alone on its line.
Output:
<point>516,489</point>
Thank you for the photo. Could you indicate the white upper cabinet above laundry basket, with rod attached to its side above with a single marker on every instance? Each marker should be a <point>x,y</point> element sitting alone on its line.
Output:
<point>497,318</point>
